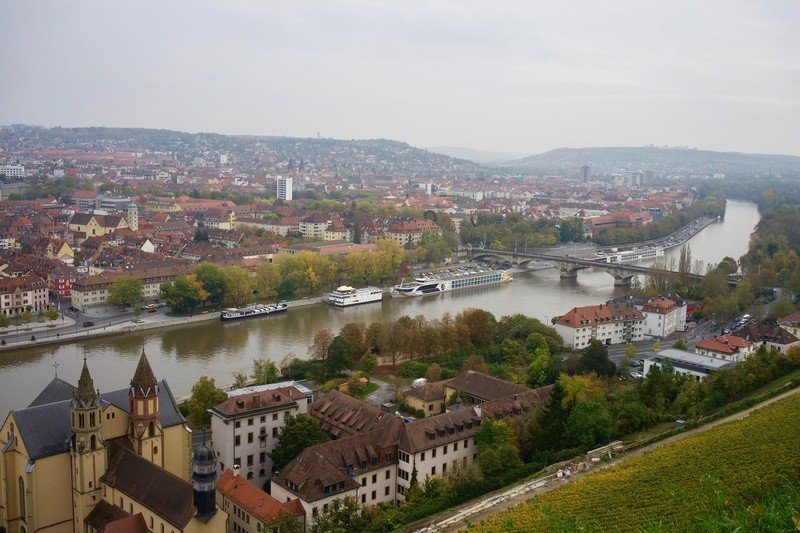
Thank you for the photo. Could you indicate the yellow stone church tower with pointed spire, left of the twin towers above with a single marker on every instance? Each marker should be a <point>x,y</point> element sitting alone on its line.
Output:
<point>87,448</point>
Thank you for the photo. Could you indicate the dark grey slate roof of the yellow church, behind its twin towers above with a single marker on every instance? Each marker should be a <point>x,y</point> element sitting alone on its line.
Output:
<point>45,429</point>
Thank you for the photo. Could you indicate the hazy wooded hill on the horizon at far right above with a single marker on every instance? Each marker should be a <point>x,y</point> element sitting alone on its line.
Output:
<point>657,158</point>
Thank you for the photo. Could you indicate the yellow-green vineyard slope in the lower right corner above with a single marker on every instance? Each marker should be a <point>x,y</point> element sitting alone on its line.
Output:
<point>673,487</point>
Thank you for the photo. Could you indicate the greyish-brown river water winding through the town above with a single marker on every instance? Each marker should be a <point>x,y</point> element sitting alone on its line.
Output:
<point>182,354</point>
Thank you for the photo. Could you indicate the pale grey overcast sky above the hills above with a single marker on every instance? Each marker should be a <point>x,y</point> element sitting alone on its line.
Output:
<point>516,76</point>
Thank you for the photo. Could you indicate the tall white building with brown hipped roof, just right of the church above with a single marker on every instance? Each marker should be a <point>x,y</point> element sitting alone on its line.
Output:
<point>246,426</point>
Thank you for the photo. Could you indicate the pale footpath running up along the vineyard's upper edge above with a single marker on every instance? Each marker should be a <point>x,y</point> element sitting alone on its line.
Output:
<point>474,512</point>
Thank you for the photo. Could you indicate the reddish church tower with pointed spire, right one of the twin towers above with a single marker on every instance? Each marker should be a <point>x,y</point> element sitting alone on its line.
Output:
<point>145,430</point>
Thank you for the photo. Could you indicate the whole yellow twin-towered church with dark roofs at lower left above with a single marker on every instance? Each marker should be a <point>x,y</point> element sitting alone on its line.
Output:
<point>79,461</point>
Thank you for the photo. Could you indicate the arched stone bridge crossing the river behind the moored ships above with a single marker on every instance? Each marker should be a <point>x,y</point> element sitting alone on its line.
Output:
<point>623,273</point>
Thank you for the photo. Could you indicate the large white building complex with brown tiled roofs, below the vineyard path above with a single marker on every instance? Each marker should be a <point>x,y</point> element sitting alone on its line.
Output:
<point>373,455</point>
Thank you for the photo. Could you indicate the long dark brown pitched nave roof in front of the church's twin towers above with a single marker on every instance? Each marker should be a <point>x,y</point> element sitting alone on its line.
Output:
<point>167,495</point>
